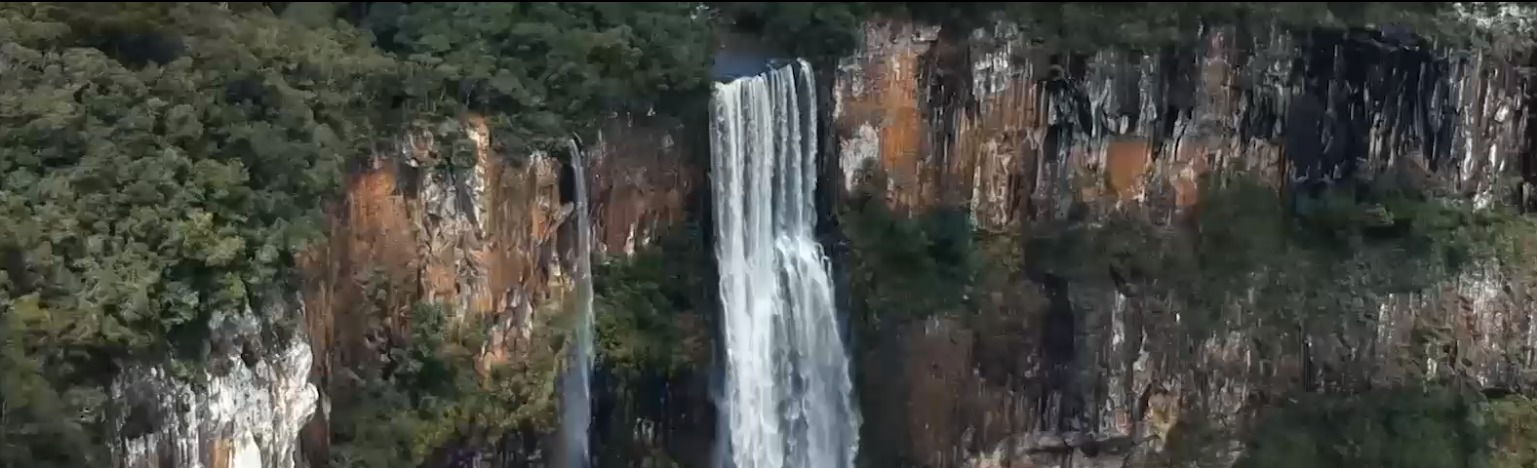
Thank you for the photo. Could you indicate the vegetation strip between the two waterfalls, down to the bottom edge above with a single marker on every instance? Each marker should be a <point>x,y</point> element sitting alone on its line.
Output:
<point>654,350</point>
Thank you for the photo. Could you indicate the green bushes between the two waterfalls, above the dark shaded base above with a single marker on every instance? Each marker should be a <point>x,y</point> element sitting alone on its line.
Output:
<point>652,310</point>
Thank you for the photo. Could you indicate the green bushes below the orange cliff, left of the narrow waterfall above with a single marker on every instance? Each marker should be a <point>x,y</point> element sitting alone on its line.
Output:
<point>433,389</point>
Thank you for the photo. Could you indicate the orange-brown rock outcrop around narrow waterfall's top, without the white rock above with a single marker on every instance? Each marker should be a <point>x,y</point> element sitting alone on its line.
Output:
<point>491,239</point>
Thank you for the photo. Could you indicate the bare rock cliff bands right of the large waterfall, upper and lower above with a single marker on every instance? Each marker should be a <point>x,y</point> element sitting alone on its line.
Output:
<point>1023,139</point>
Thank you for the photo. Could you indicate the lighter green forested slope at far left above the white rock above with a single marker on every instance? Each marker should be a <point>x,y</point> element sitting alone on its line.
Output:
<point>159,164</point>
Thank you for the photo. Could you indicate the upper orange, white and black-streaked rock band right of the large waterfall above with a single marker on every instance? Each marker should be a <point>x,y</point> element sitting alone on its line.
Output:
<point>974,119</point>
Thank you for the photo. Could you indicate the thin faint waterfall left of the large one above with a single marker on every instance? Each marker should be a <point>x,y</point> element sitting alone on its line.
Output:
<point>576,387</point>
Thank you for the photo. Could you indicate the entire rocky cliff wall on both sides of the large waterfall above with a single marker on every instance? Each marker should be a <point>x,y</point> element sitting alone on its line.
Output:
<point>1029,363</point>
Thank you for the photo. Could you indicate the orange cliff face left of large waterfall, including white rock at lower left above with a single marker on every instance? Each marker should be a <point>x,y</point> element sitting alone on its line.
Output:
<point>490,241</point>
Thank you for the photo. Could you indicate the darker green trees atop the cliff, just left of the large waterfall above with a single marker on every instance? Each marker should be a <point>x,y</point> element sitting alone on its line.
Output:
<point>543,72</point>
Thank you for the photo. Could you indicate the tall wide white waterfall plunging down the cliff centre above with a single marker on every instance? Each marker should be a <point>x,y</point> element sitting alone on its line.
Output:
<point>788,398</point>
